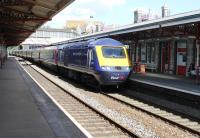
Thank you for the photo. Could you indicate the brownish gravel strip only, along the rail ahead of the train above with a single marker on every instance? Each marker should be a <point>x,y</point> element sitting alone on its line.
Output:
<point>160,127</point>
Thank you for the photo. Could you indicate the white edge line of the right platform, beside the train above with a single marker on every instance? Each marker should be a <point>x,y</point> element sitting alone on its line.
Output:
<point>167,87</point>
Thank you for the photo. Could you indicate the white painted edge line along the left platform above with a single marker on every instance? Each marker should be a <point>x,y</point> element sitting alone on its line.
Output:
<point>87,134</point>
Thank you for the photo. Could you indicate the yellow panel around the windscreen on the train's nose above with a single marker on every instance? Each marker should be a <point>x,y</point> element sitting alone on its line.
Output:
<point>111,61</point>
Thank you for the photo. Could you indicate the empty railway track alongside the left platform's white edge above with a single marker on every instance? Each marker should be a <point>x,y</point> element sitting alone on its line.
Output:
<point>93,121</point>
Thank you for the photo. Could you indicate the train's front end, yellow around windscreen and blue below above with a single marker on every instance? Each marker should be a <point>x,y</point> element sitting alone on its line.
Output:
<point>113,69</point>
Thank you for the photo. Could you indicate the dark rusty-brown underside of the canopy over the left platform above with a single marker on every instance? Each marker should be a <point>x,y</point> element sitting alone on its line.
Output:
<point>20,18</point>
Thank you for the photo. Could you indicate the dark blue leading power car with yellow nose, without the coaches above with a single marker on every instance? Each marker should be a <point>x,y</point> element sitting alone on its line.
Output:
<point>104,59</point>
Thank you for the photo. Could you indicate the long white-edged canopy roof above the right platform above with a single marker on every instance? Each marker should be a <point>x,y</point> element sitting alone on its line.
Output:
<point>175,20</point>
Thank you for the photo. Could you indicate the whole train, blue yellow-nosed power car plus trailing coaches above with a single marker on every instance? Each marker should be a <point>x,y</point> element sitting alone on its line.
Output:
<point>103,61</point>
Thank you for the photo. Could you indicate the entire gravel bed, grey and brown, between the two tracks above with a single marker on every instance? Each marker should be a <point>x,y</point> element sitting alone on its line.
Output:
<point>136,121</point>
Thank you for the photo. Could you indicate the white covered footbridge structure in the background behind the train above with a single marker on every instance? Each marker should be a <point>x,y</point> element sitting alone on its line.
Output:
<point>45,36</point>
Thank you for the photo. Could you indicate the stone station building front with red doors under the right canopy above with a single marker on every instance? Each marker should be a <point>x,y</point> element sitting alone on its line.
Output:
<point>171,55</point>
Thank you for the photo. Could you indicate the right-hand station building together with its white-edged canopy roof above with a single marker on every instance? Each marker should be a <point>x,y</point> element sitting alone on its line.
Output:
<point>168,45</point>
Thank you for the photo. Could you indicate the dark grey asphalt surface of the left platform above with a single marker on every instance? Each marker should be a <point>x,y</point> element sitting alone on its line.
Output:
<point>25,111</point>
